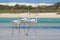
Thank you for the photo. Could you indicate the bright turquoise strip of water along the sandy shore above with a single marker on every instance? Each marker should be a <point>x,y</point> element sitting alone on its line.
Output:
<point>40,20</point>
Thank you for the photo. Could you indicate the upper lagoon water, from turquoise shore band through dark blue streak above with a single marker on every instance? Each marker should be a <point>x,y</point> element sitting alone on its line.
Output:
<point>41,23</point>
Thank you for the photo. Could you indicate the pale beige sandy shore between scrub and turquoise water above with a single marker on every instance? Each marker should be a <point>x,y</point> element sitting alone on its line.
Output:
<point>38,15</point>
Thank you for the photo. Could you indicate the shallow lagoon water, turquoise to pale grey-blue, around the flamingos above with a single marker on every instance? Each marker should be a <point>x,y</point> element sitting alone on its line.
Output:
<point>45,27</point>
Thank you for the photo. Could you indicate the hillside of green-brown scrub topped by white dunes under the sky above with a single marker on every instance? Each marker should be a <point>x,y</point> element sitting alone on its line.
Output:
<point>29,7</point>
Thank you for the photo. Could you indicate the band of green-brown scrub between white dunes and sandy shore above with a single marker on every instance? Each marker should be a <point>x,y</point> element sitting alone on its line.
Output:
<point>22,8</point>
